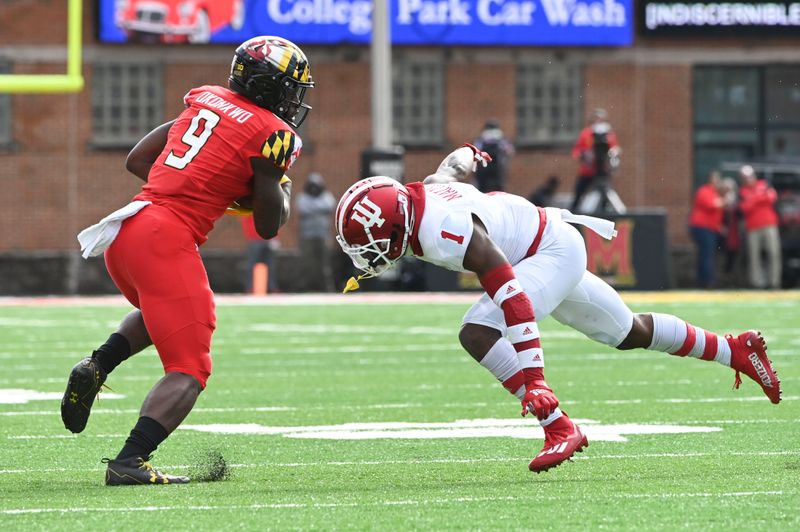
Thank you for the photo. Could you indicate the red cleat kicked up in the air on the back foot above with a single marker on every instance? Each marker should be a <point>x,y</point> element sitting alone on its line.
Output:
<point>749,356</point>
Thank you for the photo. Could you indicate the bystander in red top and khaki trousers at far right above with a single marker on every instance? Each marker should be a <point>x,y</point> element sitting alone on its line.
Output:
<point>757,203</point>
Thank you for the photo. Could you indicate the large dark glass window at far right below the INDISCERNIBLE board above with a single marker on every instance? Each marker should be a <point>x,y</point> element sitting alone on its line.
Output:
<point>745,113</point>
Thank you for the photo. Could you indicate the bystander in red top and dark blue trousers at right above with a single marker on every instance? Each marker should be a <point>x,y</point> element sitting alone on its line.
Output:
<point>705,223</point>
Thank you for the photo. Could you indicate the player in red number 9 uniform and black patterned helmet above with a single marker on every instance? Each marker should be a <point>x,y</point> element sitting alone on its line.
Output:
<point>228,144</point>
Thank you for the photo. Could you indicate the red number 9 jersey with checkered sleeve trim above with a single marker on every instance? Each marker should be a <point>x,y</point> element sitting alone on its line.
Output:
<point>205,165</point>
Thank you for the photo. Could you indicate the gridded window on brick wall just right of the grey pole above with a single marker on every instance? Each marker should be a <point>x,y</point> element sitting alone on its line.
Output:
<point>418,101</point>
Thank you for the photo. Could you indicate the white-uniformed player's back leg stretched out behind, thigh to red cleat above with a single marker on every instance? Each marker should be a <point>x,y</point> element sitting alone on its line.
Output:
<point>596,309</point>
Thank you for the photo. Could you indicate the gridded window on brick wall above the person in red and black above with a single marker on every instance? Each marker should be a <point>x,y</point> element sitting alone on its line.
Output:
<point>549,103</point>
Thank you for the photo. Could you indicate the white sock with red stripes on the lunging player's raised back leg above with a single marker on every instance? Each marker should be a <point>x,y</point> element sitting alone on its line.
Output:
<point>674,336</point>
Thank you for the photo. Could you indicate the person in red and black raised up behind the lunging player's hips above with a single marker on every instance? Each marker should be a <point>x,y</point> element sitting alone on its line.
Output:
<point>597,152</point>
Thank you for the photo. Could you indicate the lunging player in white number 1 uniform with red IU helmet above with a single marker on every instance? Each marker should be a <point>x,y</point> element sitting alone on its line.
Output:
<point>532,264</point>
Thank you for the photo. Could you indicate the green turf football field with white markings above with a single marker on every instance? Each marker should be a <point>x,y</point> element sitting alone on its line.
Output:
<point>361,414</point>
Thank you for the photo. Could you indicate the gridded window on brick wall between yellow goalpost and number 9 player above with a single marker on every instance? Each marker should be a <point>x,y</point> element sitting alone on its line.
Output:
<point>126,102</point>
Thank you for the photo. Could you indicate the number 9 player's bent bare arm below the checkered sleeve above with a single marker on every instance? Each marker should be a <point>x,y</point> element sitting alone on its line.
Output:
<point>271,199</point>
